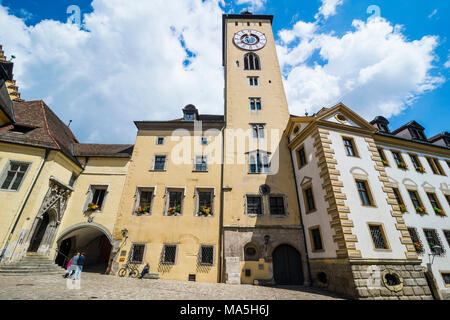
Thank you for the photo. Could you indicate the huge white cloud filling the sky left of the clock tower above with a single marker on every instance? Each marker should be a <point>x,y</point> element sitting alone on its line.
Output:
<point>128,63</point>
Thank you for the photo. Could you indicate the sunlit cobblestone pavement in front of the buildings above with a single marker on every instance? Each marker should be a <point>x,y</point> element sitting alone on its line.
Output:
<point>103,287</point>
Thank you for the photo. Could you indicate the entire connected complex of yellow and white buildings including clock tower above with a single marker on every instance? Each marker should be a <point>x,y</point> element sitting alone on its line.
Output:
<point>253,196</point>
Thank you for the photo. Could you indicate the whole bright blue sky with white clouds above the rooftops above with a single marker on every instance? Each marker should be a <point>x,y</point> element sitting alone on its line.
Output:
<point>98,76</point>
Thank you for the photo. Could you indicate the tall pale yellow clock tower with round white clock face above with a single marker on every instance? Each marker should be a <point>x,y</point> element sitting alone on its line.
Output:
<point>262,234</point>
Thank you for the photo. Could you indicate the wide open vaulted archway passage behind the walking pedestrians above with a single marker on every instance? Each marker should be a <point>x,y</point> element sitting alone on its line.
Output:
<point>90,240</point>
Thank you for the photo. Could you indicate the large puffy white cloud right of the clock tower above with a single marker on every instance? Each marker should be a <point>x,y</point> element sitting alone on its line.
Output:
<point>373,69</point>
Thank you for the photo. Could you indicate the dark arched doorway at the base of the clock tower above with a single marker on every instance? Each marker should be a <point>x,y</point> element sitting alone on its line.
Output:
<point>287,266</point>
